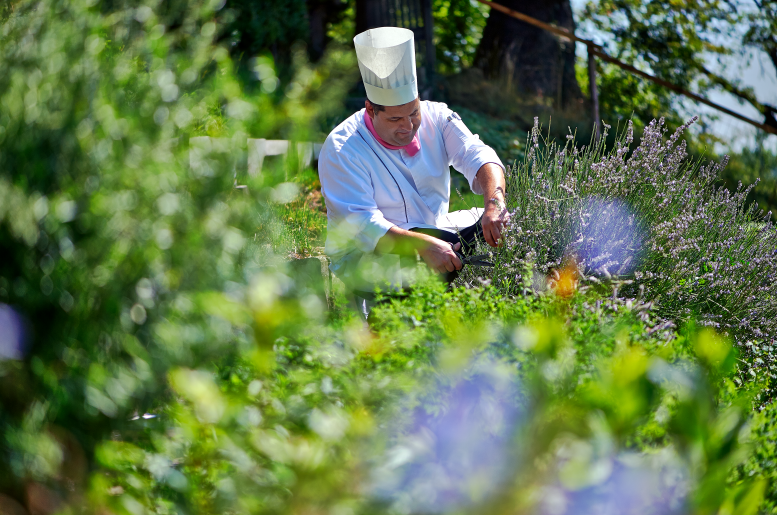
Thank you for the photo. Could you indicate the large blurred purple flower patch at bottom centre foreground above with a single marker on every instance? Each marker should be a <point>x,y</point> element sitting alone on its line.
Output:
<point>460,455</point>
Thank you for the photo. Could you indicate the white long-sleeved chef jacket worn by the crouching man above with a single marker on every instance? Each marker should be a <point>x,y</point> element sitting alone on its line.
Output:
<point>369,188</point>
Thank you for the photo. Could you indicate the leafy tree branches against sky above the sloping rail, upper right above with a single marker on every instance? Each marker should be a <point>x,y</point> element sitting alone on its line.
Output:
<point>677,42</point>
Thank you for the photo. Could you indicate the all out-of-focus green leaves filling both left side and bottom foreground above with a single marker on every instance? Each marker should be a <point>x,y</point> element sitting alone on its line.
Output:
<point>176,364</point>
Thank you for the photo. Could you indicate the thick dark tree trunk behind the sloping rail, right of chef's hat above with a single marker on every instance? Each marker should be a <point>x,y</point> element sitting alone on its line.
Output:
<point>528,58</point>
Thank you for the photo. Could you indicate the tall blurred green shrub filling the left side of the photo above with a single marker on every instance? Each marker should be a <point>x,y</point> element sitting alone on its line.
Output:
<point>118,256</point>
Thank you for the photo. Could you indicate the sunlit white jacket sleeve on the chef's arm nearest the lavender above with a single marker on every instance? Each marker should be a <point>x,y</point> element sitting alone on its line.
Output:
<point>466,151</point>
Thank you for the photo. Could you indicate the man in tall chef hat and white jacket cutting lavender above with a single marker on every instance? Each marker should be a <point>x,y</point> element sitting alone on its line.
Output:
<point>385,175</point>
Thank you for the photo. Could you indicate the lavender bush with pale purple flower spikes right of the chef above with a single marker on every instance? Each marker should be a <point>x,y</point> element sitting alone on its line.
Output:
<point>649,221</point>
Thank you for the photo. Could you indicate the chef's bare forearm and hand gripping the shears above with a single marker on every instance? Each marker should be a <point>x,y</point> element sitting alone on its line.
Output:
<point>436,253</point>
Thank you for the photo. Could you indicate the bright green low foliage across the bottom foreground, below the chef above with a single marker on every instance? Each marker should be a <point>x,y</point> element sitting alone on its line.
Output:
<point>596,382</point>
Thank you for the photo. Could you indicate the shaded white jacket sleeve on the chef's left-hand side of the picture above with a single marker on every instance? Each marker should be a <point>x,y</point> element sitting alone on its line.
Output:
<point>353,217</point>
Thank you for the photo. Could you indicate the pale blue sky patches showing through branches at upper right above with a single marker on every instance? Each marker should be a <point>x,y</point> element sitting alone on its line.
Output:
<point>755,71</point>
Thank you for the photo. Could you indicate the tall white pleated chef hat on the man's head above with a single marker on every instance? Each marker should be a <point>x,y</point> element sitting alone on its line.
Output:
<point>387,63</point>
